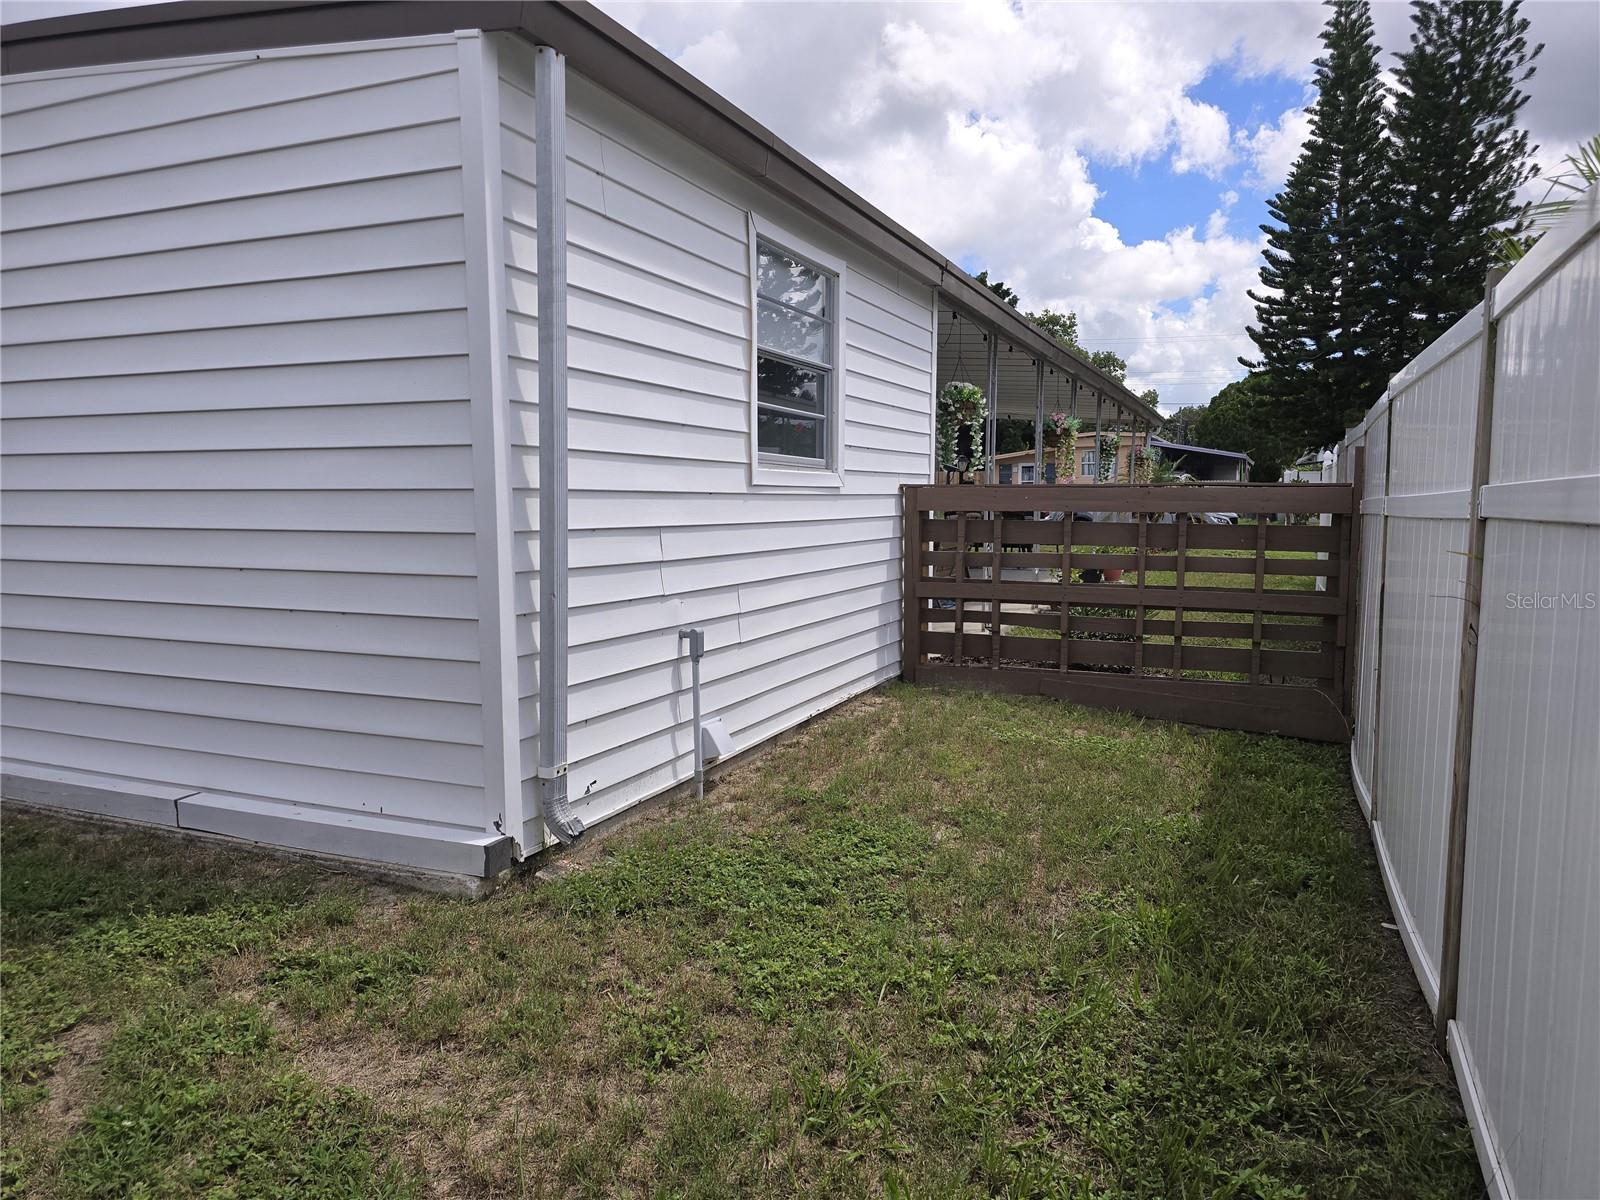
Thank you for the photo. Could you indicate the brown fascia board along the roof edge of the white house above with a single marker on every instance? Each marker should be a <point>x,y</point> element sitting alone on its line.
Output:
<point>598,47</point>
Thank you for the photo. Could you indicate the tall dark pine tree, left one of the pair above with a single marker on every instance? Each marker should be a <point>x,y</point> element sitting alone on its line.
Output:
<point>1321,313</point>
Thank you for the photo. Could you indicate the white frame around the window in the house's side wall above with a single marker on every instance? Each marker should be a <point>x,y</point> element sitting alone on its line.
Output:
<point>772,471</point>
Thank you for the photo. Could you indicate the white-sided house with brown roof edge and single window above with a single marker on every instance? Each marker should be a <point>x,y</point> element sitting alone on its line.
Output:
<point>274,458</point>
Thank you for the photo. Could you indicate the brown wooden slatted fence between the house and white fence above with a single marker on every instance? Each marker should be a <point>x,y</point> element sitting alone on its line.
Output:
<point>1236,626</point>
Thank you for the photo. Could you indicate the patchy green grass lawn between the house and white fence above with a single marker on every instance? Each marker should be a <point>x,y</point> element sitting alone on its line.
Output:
<point>934,946</point>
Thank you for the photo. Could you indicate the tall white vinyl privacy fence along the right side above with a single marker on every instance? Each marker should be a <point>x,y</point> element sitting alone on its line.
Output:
<point>1478,700</point>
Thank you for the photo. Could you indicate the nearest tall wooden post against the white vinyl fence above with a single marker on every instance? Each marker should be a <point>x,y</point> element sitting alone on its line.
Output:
<point>1466,679</point>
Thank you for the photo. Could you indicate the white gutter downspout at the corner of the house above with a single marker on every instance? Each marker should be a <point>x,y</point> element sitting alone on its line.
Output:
<point>551,207</point>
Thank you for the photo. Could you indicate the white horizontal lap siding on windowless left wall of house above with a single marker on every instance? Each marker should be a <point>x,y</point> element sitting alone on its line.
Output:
<point>238,455</point>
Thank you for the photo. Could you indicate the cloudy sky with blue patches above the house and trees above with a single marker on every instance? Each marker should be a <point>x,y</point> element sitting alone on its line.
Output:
<point>1114,159</point>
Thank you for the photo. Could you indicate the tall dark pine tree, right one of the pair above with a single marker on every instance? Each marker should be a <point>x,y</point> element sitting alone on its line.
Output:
<point>1458,161</point>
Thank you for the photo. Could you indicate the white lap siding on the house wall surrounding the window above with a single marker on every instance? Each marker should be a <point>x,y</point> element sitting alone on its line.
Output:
<point>799,593</point>
